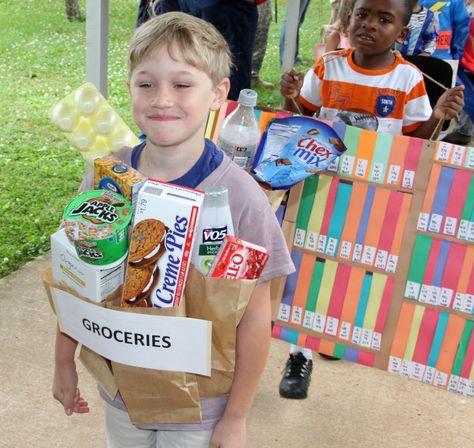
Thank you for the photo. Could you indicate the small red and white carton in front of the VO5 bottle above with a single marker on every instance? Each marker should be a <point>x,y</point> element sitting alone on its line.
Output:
<point>239,259</point>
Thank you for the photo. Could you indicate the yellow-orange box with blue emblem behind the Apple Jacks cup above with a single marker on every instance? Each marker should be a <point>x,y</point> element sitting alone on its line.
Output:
<point>110,173</point>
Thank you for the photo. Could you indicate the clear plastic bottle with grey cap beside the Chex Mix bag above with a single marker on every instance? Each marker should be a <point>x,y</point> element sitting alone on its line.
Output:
<point>240,132</point>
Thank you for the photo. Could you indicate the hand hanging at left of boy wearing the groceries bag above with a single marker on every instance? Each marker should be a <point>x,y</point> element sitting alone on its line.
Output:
<point>65,389</point>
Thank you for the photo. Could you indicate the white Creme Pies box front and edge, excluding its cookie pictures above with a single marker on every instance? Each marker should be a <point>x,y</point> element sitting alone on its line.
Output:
<point>178,208</point>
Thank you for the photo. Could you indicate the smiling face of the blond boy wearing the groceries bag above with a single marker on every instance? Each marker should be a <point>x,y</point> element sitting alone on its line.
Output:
<point>171,99</point>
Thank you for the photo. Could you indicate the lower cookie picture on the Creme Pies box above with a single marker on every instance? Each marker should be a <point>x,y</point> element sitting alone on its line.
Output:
<point>139,283</point>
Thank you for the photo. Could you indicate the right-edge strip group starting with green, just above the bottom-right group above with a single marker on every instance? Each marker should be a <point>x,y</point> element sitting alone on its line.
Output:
<point>441,274</point>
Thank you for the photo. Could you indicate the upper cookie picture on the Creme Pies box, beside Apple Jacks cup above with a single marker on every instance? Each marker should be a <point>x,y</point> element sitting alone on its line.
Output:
<point>147,242</point>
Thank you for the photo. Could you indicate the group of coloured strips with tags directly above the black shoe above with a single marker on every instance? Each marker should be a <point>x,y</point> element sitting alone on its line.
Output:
<point>318,298</point>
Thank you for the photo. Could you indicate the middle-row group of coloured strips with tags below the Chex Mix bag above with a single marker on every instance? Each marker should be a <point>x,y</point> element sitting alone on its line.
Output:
<point>352,221</point>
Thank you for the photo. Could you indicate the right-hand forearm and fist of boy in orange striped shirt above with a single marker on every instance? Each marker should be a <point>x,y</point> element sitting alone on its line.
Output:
<point>449,104</point>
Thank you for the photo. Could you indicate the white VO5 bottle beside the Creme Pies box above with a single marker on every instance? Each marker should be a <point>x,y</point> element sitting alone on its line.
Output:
<point>215,222</point>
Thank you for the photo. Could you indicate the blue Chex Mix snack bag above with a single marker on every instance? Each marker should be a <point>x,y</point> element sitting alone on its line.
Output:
<point>294,148</point>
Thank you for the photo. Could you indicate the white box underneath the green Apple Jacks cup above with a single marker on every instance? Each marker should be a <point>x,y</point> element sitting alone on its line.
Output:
<point>92,282</point>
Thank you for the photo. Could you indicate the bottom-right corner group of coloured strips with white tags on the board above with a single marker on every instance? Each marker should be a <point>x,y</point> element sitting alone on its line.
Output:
<point>434,347</point>
